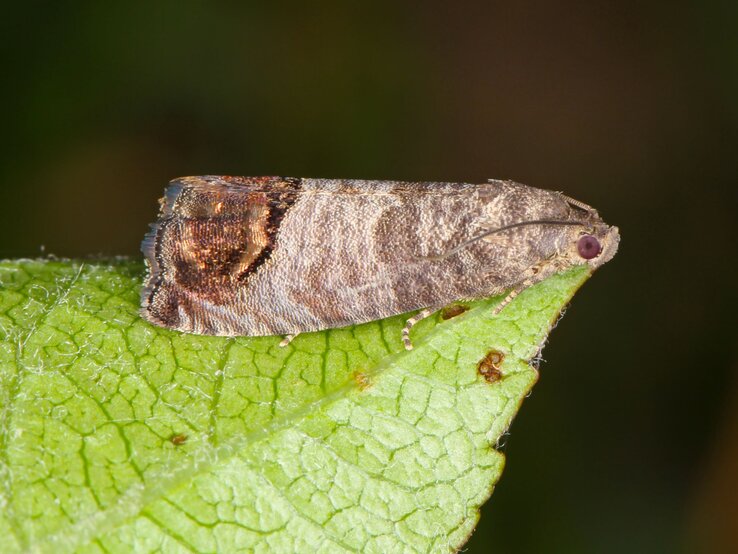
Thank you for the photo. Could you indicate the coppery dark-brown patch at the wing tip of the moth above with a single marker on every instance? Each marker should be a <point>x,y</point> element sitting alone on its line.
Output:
<point>209,236</point>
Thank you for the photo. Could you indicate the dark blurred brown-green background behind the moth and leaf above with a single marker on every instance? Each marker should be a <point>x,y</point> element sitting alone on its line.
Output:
<point>629,442</point>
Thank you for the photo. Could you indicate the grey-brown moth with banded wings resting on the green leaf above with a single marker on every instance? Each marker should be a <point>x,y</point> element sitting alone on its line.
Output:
<point>280,256</point>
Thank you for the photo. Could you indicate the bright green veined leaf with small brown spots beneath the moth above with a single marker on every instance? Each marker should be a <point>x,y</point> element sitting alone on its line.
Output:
<point>117,436</point>
